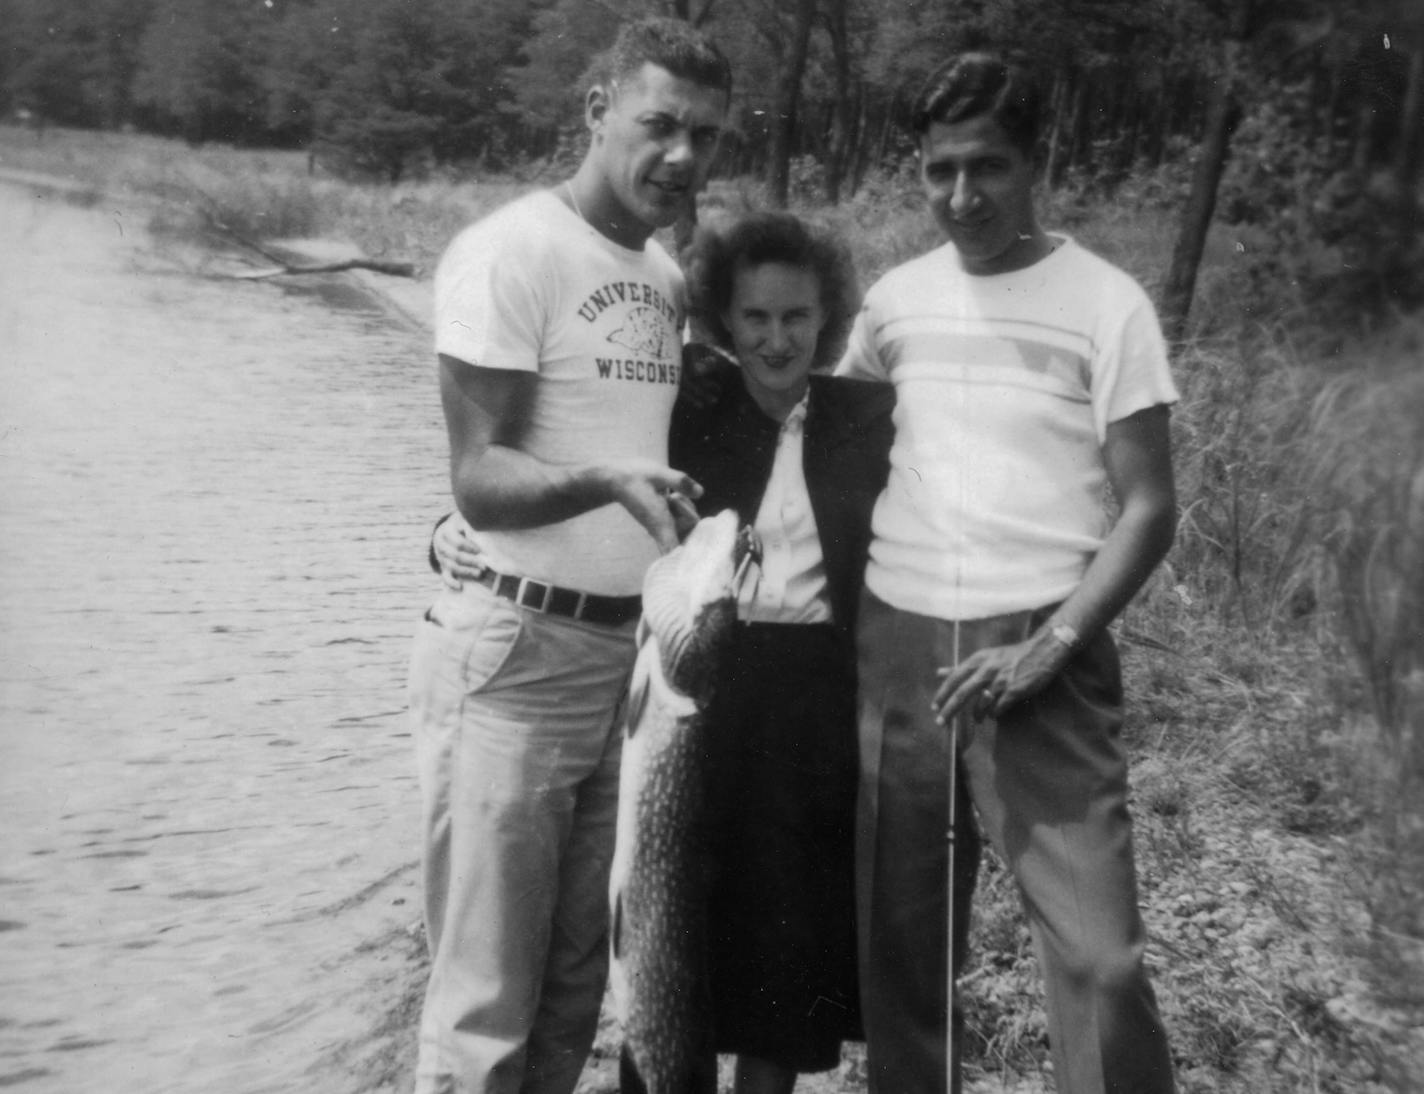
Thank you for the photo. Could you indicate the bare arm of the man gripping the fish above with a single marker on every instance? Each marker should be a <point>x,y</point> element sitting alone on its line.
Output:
<point>498,486</point>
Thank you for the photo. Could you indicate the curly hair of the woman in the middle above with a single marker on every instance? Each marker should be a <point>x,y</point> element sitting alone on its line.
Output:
<point>718,254</point>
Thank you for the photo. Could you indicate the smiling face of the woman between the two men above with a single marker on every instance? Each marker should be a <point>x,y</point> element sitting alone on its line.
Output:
<point>775,318</point>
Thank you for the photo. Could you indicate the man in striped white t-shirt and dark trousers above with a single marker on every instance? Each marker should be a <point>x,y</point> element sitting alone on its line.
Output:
<point>1030,378</point>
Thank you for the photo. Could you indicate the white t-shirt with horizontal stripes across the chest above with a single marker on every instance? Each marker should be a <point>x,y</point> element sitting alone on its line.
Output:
<point>1005,391</point>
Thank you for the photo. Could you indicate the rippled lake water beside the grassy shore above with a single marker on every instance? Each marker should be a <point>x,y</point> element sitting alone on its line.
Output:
<point>214,502</point>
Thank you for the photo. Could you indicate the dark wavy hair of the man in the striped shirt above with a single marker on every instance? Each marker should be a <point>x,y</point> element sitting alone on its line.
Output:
<point>978,83</point>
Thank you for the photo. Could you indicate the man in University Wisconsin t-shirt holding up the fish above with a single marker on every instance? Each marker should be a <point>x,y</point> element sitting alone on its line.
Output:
<point>559,334</point>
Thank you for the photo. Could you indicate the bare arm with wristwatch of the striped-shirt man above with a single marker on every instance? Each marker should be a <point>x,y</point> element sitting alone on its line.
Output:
<point>1138,459</point>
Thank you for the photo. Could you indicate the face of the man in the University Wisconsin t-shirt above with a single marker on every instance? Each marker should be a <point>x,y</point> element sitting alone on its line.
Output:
<point>654,140</point>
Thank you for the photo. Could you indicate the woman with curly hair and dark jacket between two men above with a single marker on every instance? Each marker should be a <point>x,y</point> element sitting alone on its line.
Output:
<point>802,458</point>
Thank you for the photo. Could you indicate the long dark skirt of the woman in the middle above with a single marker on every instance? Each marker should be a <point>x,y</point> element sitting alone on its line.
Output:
<point>781,840</point>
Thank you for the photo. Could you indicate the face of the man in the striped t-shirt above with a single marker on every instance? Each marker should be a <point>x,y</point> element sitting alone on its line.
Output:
<point>980,186</point>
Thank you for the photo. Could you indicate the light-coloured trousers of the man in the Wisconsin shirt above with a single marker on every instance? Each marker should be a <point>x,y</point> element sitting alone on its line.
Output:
<point>518,720</point>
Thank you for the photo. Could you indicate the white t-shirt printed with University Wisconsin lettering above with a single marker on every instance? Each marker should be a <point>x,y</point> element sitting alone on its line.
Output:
<point>535,288</point>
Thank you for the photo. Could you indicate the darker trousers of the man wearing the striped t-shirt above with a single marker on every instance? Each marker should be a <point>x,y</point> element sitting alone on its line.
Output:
<point>1050,786</point>
